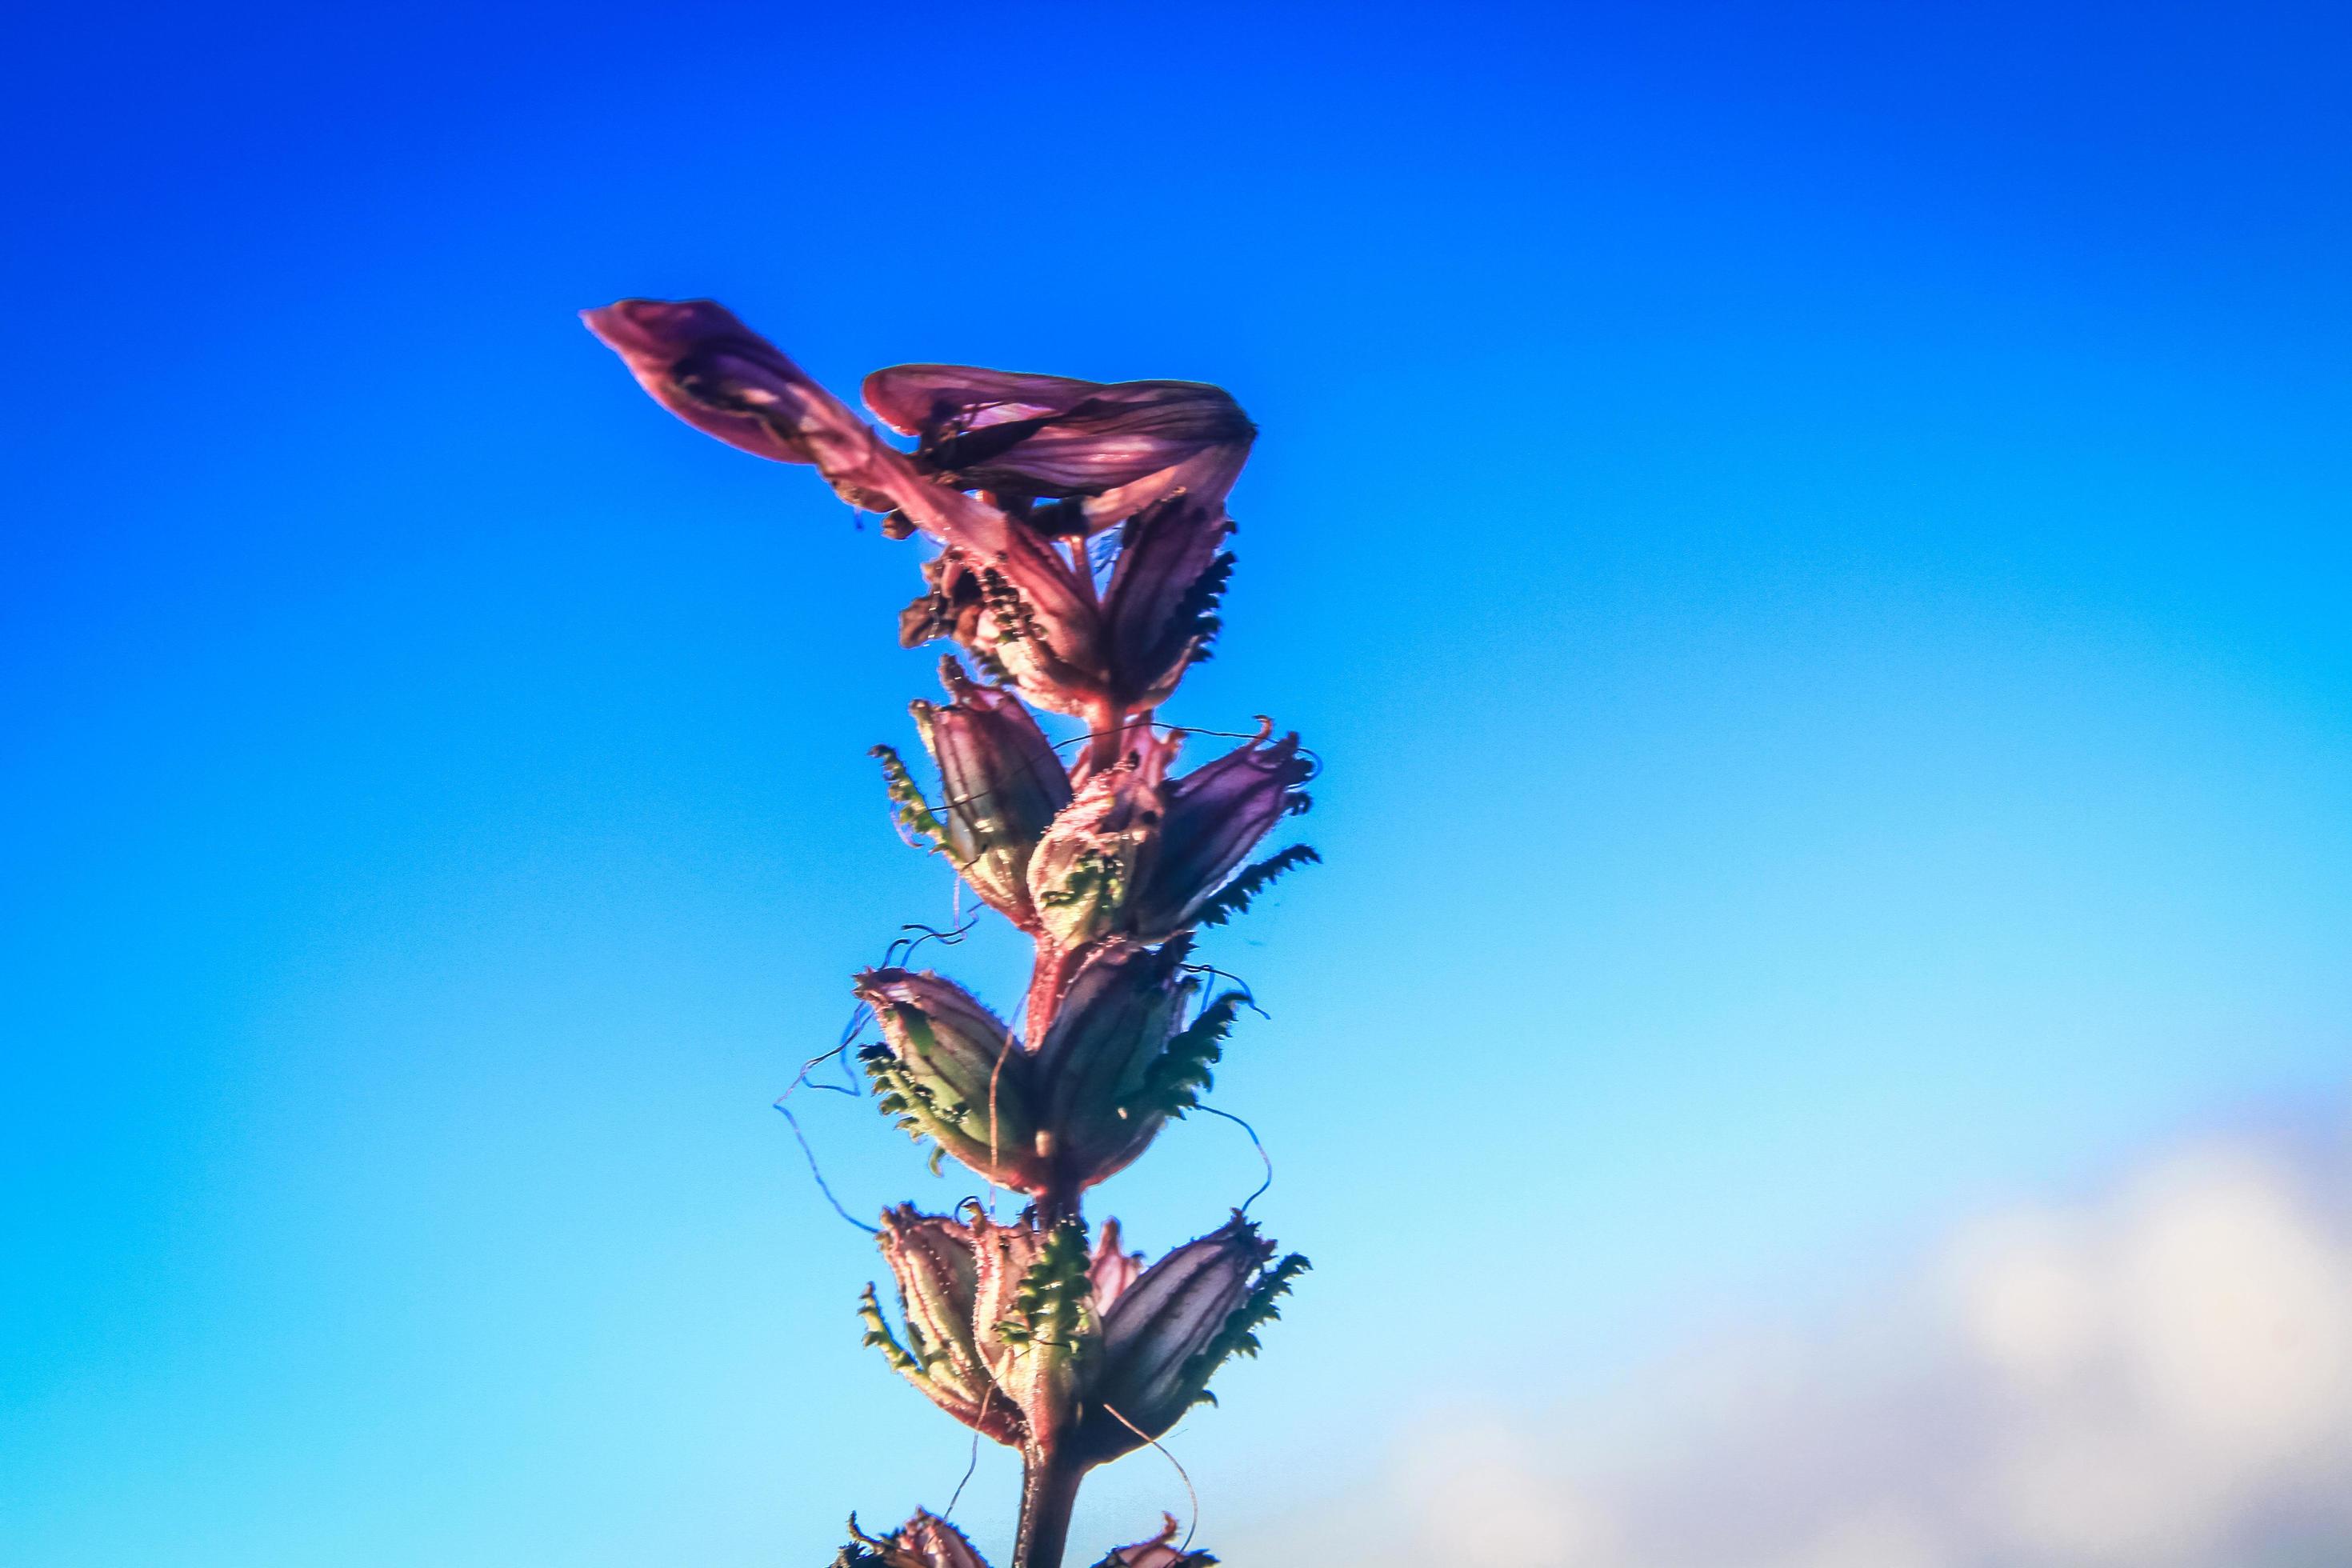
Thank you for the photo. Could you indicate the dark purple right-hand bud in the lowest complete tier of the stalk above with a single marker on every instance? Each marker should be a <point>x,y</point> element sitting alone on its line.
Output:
<point>1170,1332</point>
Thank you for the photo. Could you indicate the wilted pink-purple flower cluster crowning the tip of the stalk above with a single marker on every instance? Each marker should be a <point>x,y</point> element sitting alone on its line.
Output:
<point>1055,460</point>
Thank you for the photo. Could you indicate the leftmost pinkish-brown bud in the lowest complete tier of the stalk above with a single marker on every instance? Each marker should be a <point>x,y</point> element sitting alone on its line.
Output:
<point>937,1268</point>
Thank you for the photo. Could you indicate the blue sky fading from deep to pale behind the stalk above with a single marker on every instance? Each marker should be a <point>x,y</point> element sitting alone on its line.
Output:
<point>1812,542</point>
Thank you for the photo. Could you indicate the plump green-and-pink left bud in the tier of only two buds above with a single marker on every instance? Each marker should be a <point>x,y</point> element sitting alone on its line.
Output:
<point>954,1073</point>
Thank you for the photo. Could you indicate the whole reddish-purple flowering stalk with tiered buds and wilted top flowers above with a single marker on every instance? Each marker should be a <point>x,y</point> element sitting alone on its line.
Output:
<point>1081,554</point>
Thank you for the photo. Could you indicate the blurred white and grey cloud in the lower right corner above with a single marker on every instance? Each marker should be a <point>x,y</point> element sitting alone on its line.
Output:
<point>2156,1376</point>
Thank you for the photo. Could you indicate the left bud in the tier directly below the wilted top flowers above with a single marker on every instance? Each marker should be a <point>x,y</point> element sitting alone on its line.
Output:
<point>1001,782</point>
